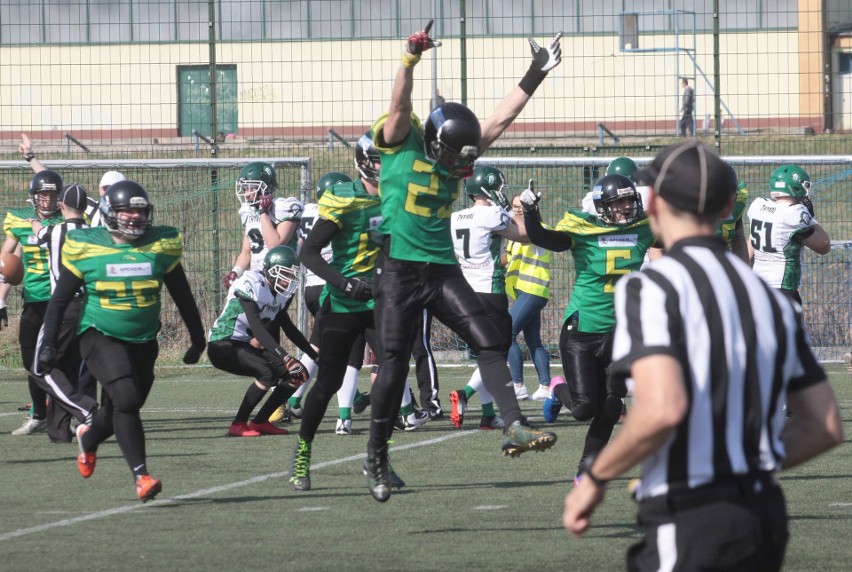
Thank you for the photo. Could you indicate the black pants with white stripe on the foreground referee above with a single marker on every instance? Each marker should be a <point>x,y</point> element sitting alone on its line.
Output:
<point>740,525</point>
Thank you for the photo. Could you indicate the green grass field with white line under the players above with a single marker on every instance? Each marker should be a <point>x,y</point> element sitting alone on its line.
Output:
<point>227,505</point>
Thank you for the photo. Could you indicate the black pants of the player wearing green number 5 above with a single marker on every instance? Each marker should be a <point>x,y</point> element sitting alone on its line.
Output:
<point>589,392</point>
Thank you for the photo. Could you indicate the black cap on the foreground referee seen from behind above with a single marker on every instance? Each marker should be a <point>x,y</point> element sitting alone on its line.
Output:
<point>691,177</point>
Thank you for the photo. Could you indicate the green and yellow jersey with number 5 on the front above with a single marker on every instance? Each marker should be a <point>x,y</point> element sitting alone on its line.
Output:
<point>602,254</point>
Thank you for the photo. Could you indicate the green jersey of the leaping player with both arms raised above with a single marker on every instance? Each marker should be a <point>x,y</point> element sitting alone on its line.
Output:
<point>417,199</point>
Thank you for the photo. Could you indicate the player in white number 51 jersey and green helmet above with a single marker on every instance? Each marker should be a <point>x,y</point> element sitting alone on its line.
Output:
<point>780,226</point>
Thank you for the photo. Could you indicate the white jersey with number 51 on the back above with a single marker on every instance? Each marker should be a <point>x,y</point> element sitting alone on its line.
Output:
<point>774,228</point>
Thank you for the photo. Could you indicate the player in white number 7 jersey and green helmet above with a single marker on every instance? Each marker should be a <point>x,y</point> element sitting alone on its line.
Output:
<point>477,238</point>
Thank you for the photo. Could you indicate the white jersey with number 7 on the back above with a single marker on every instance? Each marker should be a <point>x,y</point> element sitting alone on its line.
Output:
<point>477,249</point>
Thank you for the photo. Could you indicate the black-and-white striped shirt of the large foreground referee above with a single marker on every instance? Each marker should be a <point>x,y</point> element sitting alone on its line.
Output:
<point>741,345</point>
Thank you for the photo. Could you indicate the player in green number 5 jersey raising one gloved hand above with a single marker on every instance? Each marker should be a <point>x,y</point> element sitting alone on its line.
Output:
<point>605,246</point>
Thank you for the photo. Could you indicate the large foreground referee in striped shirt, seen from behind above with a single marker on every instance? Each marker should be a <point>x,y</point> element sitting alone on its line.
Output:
<point>714,353</point>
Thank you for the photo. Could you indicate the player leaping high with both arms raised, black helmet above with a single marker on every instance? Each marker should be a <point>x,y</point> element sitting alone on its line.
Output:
<point>422,167</point>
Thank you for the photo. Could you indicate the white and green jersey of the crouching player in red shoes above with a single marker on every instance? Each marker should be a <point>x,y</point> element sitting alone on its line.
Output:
<point>232,323</point>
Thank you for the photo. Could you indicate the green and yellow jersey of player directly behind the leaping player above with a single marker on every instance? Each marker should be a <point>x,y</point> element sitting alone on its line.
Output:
<point>356,213</point>
